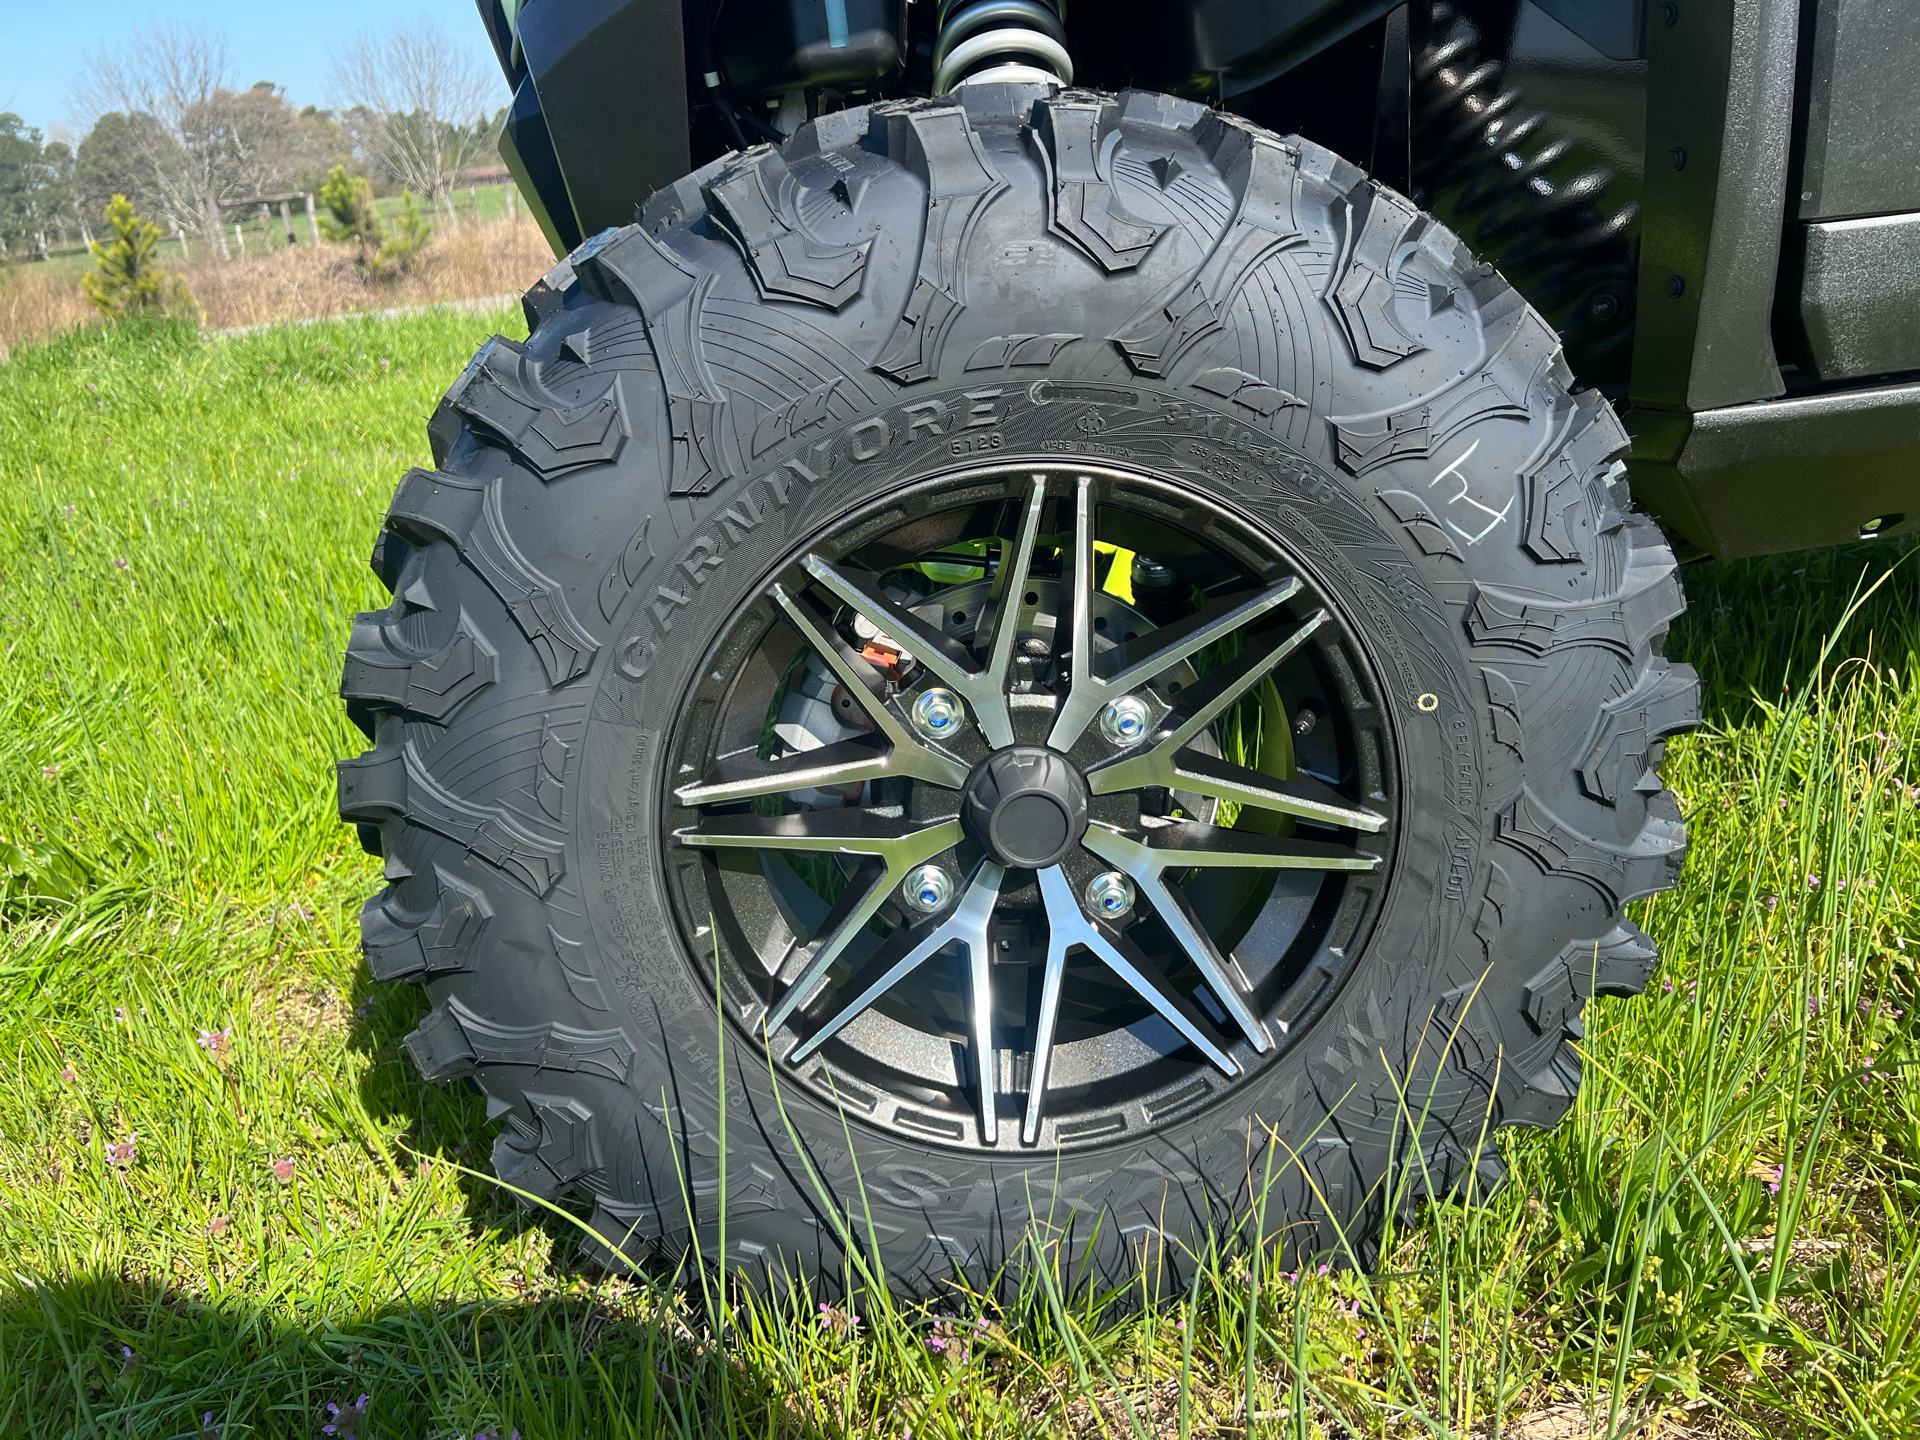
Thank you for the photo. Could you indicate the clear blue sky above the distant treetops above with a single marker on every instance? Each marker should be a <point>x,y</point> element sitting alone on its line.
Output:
<point>283,41</point>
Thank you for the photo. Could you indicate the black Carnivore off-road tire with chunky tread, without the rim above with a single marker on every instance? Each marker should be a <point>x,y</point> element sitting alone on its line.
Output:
<point>1011,274</point>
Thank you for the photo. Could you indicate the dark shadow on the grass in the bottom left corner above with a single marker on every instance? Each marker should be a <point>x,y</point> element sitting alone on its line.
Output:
<point>99,1355</point>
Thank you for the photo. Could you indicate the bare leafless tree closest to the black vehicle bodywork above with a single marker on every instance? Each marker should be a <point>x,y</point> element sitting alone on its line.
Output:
<point>421,107</point>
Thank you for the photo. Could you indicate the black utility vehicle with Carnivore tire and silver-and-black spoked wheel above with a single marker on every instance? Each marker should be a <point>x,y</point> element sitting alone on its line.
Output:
<point>1057,631</point>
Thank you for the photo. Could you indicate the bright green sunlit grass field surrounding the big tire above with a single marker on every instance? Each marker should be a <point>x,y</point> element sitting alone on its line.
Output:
<point>228,1207</point>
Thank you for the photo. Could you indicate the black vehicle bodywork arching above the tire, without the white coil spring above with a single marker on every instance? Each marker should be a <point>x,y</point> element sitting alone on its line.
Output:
<point>1717,203</point>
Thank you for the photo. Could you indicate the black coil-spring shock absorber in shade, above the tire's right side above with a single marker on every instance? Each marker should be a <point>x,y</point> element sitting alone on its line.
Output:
<point>1524,199</point>
